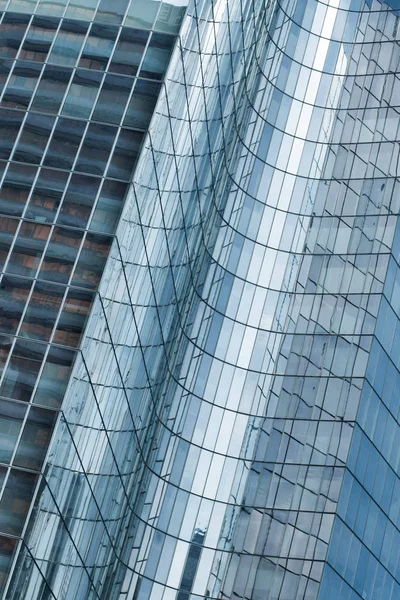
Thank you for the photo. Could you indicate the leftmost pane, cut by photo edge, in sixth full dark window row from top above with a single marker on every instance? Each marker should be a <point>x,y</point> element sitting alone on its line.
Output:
<point>13,295</point>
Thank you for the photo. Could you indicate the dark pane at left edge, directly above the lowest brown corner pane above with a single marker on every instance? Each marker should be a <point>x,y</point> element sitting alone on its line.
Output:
<point>16,501</point>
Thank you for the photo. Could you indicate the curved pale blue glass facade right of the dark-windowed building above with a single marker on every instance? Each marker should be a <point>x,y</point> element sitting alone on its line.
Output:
<point>230,427</point>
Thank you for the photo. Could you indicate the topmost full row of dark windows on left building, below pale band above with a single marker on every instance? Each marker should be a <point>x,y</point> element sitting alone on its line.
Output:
<point>72,45</point>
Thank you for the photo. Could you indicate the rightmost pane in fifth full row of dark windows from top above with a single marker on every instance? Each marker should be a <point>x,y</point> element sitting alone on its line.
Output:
<point>91,262</point>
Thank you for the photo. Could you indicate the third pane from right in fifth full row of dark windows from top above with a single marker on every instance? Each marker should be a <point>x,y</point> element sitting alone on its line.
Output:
<point>28,249</point>
